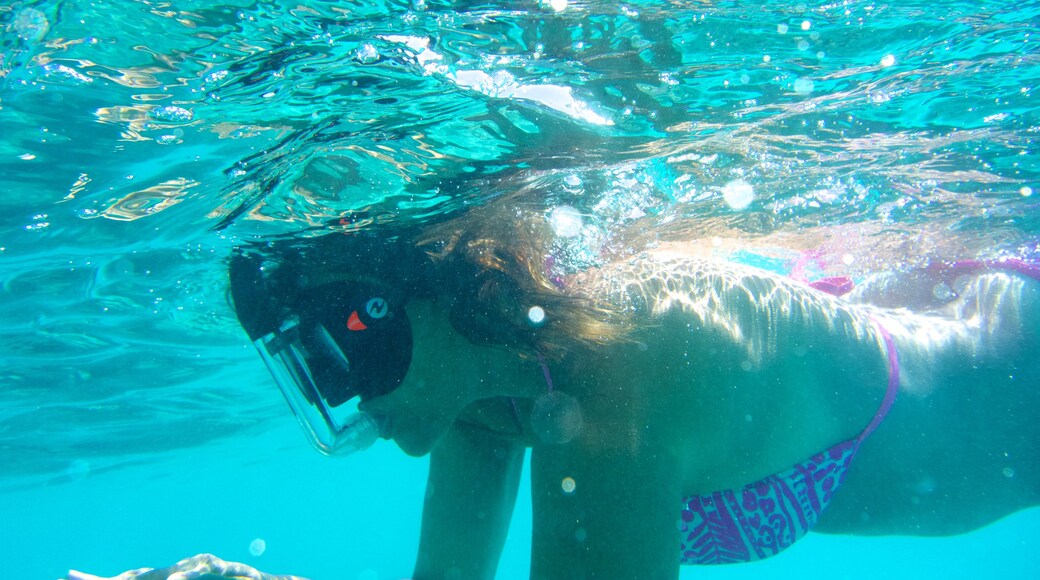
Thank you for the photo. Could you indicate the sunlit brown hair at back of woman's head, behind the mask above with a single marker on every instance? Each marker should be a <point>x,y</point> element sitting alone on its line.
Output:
<point>499,258</point>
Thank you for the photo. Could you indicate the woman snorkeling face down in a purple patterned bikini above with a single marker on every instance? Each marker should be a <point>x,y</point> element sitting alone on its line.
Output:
<point>680,408</point>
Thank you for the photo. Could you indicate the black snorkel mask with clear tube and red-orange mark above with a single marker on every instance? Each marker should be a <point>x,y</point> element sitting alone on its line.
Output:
<point>327,347</point>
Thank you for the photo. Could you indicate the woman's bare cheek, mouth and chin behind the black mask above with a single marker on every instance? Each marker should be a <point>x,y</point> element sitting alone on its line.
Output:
<point>448,374</point>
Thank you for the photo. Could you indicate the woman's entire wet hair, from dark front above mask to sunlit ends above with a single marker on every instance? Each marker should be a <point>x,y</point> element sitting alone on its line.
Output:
<point>492,262</point>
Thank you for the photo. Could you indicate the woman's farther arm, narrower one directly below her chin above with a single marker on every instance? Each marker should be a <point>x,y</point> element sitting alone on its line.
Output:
<point>473,488</point>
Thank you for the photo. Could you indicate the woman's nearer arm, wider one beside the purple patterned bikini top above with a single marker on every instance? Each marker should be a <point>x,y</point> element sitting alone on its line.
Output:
<point>606,505</point>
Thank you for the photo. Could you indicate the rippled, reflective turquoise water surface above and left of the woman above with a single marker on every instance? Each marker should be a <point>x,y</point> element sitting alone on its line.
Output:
<point>143,141</point>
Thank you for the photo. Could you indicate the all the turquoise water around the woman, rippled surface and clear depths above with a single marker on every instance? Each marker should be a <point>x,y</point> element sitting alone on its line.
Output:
<point>140,142</point>
